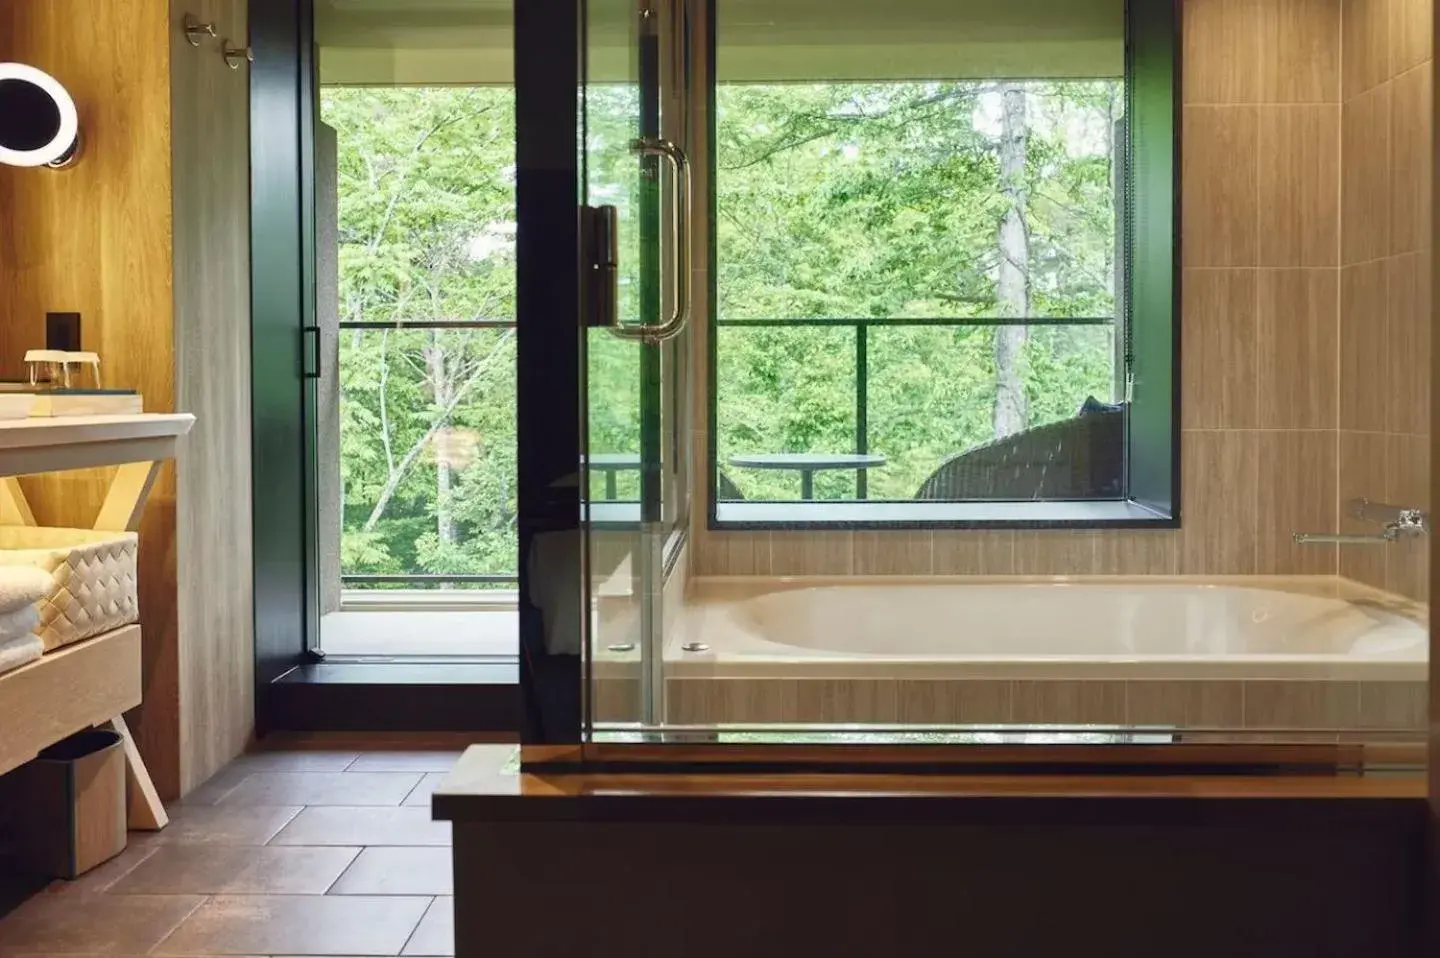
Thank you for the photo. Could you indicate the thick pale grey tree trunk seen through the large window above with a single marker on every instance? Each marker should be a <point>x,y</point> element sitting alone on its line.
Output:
<point>1013,285</point>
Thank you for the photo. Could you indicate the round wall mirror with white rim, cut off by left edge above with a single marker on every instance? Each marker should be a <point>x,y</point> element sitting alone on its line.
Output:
<point>38,120</point>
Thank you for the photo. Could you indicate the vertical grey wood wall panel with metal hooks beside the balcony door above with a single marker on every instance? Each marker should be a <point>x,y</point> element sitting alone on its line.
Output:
<point>212,361</point>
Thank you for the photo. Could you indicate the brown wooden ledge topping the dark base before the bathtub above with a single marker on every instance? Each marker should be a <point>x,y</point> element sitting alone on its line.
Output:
<point>480,793</point>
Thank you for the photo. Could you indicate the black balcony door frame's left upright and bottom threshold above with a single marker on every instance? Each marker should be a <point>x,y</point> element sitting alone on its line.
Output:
<point>296,689</point>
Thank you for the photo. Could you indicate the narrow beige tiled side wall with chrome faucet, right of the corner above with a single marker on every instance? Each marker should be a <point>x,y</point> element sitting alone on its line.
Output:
<point>1385,305</point>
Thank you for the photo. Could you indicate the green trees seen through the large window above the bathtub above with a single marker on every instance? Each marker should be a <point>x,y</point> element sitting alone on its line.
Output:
<point>957,201</point>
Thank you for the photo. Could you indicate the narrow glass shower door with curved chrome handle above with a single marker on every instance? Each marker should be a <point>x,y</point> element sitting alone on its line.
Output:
<point>636,187</point>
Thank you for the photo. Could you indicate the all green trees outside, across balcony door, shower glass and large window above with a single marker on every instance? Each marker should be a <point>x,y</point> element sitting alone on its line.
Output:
<point>938,201</point>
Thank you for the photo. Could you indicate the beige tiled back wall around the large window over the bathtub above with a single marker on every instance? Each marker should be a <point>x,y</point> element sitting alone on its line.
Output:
<point>1262,207</point>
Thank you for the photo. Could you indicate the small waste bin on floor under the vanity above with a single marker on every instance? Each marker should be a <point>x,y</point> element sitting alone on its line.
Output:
<point>73,805</point>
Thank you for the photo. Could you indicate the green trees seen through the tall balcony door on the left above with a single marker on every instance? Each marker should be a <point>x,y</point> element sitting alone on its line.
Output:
<point>428,426</point>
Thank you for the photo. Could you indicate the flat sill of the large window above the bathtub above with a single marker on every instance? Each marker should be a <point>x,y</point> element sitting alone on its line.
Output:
<point>909,515</point>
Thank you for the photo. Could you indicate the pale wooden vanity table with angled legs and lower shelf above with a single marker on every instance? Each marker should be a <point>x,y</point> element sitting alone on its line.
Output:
<point>93,682</point>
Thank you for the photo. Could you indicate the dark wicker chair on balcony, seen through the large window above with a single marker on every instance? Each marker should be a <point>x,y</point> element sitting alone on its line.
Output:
<point>1075,459</point>
